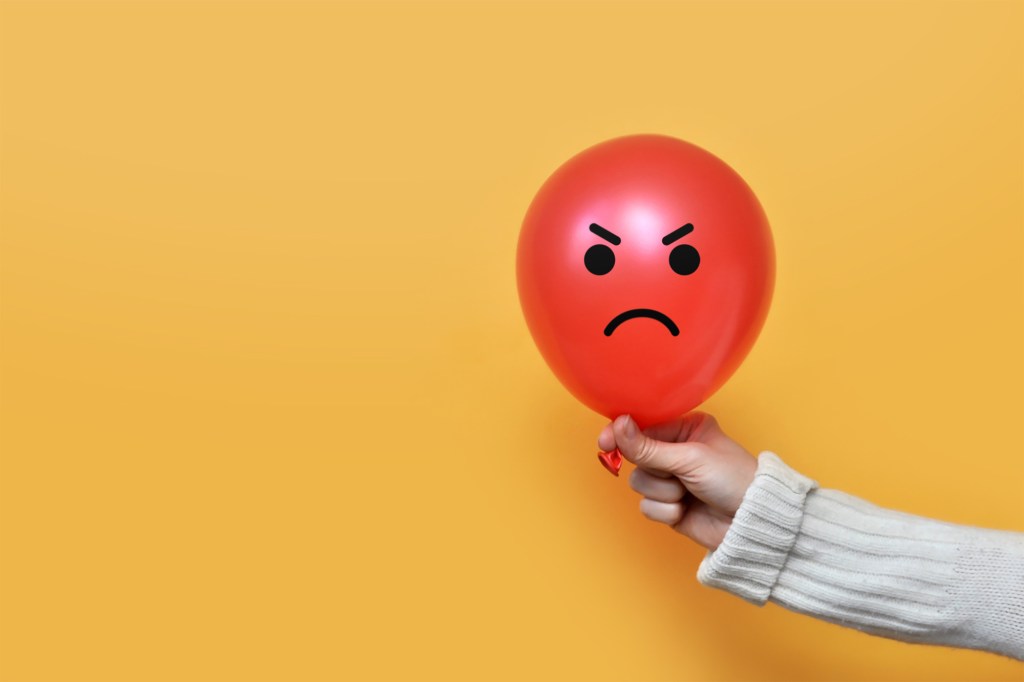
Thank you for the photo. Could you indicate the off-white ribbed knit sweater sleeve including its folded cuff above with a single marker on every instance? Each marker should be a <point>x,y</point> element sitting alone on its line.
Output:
<point>842,560</point>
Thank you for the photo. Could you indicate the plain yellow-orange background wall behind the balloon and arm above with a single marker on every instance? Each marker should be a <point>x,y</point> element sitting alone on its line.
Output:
<point>270,408</point>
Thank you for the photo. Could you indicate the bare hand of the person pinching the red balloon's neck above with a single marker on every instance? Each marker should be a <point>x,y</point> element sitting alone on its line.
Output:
<point>692,476</point>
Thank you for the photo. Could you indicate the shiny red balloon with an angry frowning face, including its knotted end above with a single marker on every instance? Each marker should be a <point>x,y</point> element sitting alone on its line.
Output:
<point>646,270</point>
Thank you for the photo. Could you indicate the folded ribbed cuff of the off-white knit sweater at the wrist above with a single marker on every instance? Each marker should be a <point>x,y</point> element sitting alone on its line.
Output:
<point>756,547</point>
